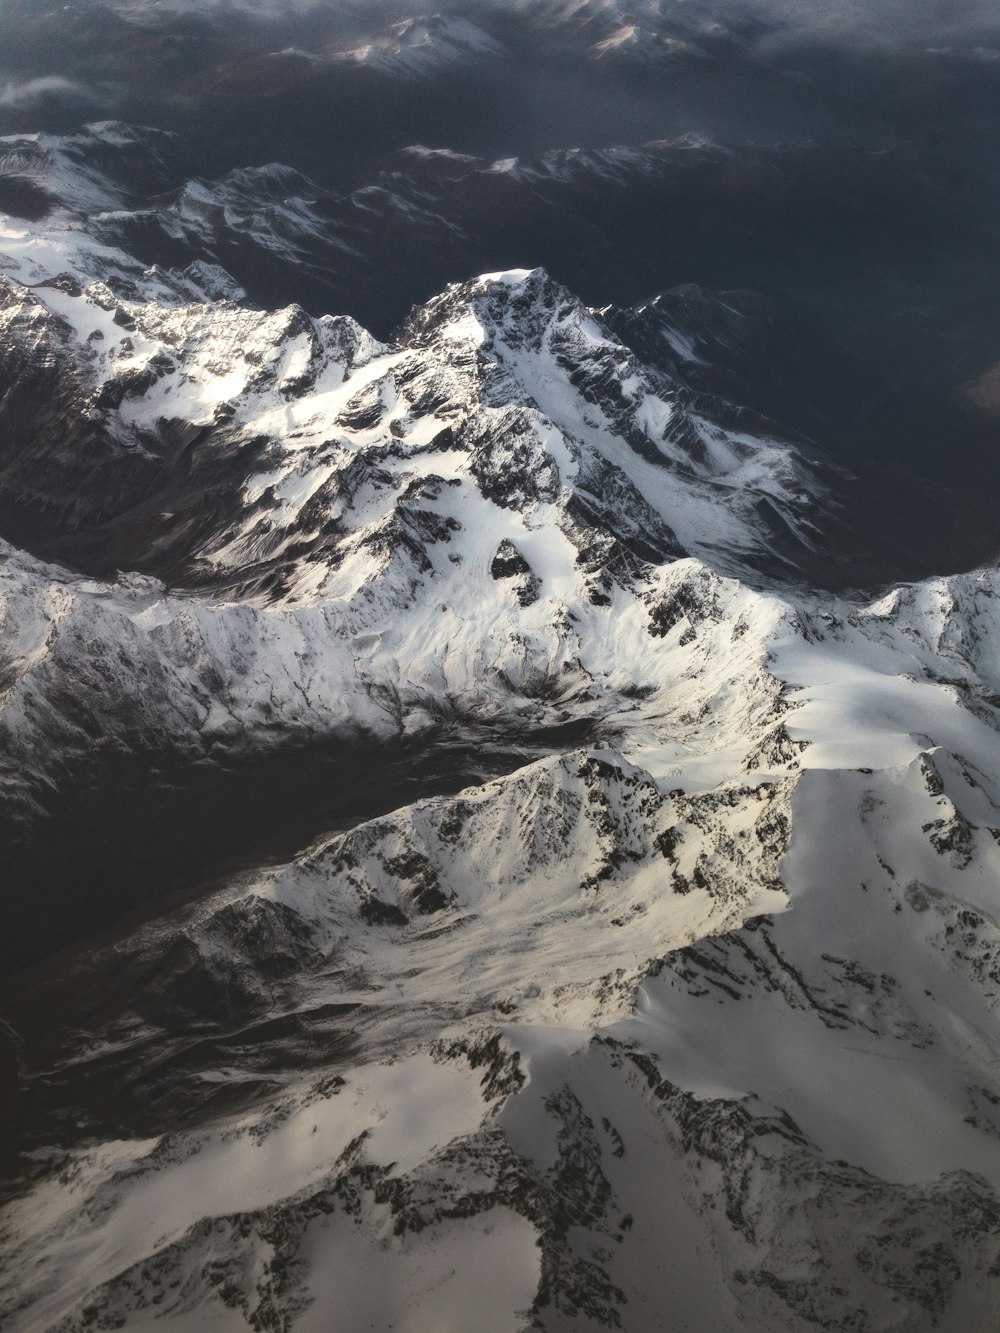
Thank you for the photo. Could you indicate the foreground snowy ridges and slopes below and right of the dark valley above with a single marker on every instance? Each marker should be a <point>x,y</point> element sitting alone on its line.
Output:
<point>739,1000</point>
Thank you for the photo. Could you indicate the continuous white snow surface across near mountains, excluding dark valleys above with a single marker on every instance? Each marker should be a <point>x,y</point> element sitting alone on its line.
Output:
<point>697,1016</point>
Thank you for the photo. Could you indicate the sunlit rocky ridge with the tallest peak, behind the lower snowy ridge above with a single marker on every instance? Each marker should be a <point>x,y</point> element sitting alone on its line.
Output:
<point>323,453</point>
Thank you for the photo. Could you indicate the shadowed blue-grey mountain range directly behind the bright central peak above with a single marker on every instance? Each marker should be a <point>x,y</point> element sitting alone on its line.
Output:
<point>839,363</point>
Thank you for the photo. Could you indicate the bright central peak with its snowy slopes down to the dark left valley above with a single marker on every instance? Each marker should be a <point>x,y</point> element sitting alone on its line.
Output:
<point>477,505</point>
